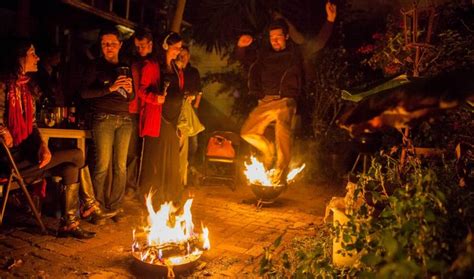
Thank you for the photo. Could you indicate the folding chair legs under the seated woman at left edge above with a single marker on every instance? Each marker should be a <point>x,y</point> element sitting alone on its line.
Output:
<point>15,181</point>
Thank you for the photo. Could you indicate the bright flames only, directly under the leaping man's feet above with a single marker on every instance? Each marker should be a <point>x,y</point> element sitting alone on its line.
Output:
<point>257,174</point>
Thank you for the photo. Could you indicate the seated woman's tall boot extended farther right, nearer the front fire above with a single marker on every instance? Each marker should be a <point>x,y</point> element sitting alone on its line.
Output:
<point>91,209</point>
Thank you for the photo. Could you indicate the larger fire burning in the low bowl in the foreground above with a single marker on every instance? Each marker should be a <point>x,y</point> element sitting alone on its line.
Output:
<point>169,239</point>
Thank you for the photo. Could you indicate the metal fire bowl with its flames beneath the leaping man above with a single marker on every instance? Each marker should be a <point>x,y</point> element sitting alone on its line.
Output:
<point>260,181</point>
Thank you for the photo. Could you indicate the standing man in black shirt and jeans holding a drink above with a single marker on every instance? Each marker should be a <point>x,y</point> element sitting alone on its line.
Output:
<point>107,86</point>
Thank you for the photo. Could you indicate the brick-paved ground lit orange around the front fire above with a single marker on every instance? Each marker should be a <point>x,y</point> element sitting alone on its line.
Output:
<point>238,233</point>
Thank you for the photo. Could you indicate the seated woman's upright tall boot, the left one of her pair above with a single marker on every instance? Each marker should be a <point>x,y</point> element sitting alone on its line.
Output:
<point>69,225</point>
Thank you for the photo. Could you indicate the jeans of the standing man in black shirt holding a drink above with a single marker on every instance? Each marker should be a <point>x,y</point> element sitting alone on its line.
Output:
<point>111,135</point>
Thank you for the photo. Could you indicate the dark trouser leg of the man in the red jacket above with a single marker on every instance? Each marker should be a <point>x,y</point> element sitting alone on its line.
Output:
<point>133,157</point>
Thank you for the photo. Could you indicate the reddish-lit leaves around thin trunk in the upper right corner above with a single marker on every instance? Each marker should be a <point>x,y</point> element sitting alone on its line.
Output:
<point>451,43</point>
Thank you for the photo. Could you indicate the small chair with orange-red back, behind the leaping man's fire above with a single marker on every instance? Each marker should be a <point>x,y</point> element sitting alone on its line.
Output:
<point>220,161</point>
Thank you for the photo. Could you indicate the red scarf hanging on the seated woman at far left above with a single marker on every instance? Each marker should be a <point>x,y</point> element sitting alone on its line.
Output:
<point>20,110</point>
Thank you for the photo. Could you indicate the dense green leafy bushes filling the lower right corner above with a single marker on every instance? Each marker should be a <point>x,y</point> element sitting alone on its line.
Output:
<point>416,222</point>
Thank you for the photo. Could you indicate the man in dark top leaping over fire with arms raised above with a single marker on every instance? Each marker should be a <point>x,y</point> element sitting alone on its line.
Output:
<point>276,78</point>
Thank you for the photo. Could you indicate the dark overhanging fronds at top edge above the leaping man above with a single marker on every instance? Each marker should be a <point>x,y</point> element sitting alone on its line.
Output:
<point>218,23</point>
